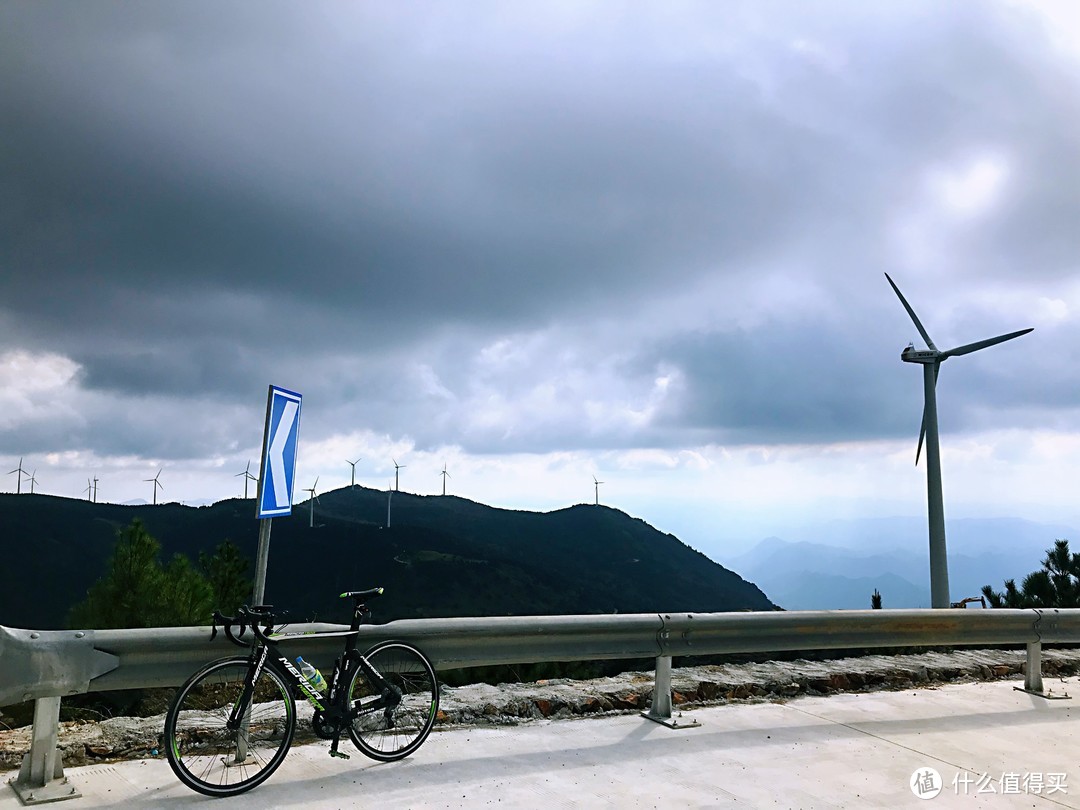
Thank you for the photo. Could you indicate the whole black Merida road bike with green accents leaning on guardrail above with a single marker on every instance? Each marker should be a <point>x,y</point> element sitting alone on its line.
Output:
<point>231,725</point>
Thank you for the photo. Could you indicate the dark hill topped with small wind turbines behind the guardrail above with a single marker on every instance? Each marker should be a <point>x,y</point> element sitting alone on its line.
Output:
<point>442,557</point>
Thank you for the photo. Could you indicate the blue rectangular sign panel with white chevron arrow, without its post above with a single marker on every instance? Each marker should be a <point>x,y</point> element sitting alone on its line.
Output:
<point>280,439</point>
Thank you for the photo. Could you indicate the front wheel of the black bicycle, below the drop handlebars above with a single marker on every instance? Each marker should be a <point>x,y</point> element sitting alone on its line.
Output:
<point>209,757</point>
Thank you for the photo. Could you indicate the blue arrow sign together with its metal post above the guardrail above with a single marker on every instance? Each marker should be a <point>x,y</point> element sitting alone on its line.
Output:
<point>277,474</point>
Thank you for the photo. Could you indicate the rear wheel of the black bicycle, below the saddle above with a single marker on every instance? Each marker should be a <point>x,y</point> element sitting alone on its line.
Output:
<point>394,722</point>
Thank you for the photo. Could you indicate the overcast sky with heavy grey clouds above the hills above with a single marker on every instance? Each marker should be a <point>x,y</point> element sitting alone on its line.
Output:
<point>541,242</point>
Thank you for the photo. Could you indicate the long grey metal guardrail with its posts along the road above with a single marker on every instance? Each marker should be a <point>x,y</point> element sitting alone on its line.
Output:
<point>48,666</point>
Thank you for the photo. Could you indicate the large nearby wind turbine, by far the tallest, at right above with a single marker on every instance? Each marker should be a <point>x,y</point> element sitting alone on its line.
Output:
<point>931,360</point>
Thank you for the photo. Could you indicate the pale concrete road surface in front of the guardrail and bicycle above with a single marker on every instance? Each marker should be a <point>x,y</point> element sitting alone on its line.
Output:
<point>974,745</point>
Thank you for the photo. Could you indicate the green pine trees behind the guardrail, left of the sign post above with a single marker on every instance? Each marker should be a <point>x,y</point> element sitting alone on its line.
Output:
<point>139,591</point>
